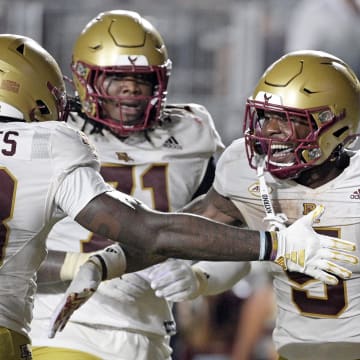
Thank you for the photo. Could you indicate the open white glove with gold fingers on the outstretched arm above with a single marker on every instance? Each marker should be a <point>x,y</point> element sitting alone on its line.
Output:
<point>299,248</point>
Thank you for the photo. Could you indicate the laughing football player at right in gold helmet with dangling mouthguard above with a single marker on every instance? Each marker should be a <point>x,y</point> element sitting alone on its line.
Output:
<point>300,125</point>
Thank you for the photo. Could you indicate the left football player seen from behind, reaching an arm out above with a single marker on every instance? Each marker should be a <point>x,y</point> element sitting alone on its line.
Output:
<point>49,170</point>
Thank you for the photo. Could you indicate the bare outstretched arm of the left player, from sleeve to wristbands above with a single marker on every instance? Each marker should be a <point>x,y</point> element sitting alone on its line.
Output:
<point>184,236</point>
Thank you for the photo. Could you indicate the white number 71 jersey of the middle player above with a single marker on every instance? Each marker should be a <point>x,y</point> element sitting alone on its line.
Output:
<point>163,168</point>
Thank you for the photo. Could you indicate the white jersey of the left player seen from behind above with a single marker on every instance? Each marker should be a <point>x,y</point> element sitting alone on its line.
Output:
<point>47,170</point>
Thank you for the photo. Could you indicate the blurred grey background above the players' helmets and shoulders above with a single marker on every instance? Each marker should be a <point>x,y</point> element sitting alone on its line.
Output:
<point>218,48</point>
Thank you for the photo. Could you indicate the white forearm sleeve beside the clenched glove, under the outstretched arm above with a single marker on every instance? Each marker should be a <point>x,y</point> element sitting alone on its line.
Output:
<point>217,277</point>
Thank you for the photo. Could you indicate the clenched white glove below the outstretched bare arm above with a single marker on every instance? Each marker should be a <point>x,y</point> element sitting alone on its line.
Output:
<point>174,280</point>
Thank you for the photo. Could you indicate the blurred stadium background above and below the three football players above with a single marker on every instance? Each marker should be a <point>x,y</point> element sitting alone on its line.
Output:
<point>219,49</point>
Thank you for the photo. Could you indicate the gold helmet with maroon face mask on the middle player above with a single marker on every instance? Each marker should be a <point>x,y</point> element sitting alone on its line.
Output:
<point>115,43</point>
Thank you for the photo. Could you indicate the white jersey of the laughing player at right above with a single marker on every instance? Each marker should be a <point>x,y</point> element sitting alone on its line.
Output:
<point>314,321</point>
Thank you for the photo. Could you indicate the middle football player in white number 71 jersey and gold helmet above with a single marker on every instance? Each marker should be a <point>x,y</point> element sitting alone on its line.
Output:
<point>161,153</point>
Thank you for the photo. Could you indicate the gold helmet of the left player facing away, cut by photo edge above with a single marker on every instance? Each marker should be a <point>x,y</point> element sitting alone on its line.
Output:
<point>31,83</point>
